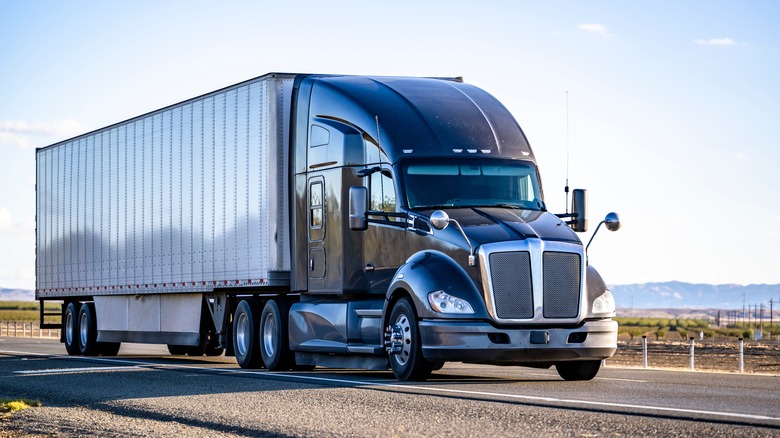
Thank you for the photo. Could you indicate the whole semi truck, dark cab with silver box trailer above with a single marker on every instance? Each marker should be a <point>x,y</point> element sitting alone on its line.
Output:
<point>304,220</point>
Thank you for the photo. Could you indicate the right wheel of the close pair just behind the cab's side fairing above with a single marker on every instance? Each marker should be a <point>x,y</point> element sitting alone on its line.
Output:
<point>274,341</point>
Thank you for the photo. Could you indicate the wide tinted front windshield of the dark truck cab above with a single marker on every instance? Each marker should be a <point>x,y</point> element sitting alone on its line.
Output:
<point>471,182</point>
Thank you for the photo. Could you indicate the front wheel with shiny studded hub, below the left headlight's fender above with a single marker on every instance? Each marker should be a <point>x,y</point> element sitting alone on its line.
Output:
<point>408,363</point>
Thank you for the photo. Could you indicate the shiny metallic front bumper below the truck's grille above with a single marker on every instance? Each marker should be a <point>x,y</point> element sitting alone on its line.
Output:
<point>480,342</point>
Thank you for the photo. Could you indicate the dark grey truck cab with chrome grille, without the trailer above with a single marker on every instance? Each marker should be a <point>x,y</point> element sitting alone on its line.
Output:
<point>421,235</point>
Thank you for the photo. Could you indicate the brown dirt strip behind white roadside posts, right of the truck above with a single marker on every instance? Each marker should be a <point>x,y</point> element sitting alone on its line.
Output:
<point>759,357</point>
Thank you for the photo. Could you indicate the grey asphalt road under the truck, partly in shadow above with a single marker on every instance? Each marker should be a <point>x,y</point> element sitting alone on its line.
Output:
<point>144,391</point>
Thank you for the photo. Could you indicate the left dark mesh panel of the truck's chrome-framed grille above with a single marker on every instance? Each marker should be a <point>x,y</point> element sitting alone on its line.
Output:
<point>510,273</point>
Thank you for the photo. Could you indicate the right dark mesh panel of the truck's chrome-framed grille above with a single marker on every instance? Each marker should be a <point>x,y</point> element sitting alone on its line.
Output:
<point>561,282</point>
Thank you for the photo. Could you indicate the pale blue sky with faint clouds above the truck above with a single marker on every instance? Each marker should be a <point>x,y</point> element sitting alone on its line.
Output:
<point>665,111</point>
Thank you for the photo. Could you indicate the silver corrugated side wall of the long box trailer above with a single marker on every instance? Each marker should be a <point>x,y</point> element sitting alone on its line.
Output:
<point>187,198</point>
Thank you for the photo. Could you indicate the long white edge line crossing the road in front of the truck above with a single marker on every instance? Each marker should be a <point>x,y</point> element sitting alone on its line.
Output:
<point>270,374</point>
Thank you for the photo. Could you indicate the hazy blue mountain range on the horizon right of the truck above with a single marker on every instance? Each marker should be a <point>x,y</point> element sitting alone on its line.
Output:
<point>679,295</point>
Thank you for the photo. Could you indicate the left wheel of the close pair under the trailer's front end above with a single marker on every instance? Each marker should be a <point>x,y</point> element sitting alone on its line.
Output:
<point>246,330</point>
